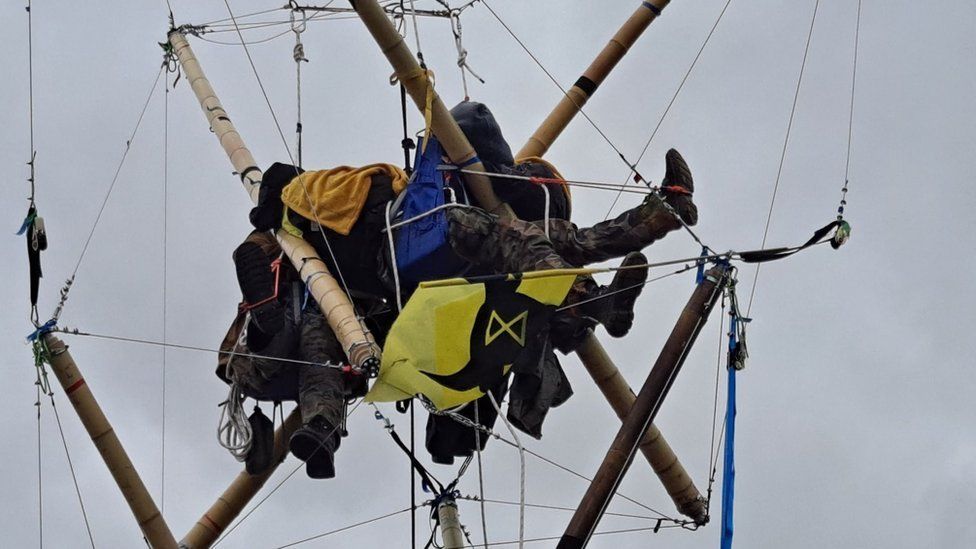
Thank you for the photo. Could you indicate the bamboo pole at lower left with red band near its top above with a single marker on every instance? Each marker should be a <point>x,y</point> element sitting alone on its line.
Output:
<point>150,520</point>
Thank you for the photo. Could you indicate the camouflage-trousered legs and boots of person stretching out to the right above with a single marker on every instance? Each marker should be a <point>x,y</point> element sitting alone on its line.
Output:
<point>515,245</point>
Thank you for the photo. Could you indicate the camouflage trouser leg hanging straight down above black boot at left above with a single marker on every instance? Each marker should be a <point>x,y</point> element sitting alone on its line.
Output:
<point>320,388</point>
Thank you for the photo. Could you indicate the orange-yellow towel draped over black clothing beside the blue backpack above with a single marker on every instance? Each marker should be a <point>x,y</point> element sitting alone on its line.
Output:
<point>337,195</point>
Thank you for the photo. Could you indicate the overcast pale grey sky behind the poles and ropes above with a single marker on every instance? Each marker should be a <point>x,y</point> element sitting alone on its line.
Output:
<point>856,409</point>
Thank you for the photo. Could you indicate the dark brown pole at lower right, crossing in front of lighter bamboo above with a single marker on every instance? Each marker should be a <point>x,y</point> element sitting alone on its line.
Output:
<point>648,402</point>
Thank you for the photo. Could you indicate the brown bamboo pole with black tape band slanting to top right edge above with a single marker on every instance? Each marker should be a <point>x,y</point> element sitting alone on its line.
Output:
<point>592,77</point>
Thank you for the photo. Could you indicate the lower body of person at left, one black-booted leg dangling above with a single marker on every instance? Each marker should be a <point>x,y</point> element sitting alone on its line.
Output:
<point>280,328</point>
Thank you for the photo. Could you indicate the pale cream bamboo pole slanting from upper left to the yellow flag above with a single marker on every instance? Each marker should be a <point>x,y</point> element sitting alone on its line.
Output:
<point>358,343</point>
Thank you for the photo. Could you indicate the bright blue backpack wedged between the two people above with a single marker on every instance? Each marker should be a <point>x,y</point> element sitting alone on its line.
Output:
<point>423,251</point>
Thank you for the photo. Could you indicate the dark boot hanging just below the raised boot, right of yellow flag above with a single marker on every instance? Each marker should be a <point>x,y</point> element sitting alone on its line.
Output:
<point>613,305</point>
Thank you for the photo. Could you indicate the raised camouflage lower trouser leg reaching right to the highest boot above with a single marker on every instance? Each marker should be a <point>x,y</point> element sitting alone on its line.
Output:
<point>630,231</point>
